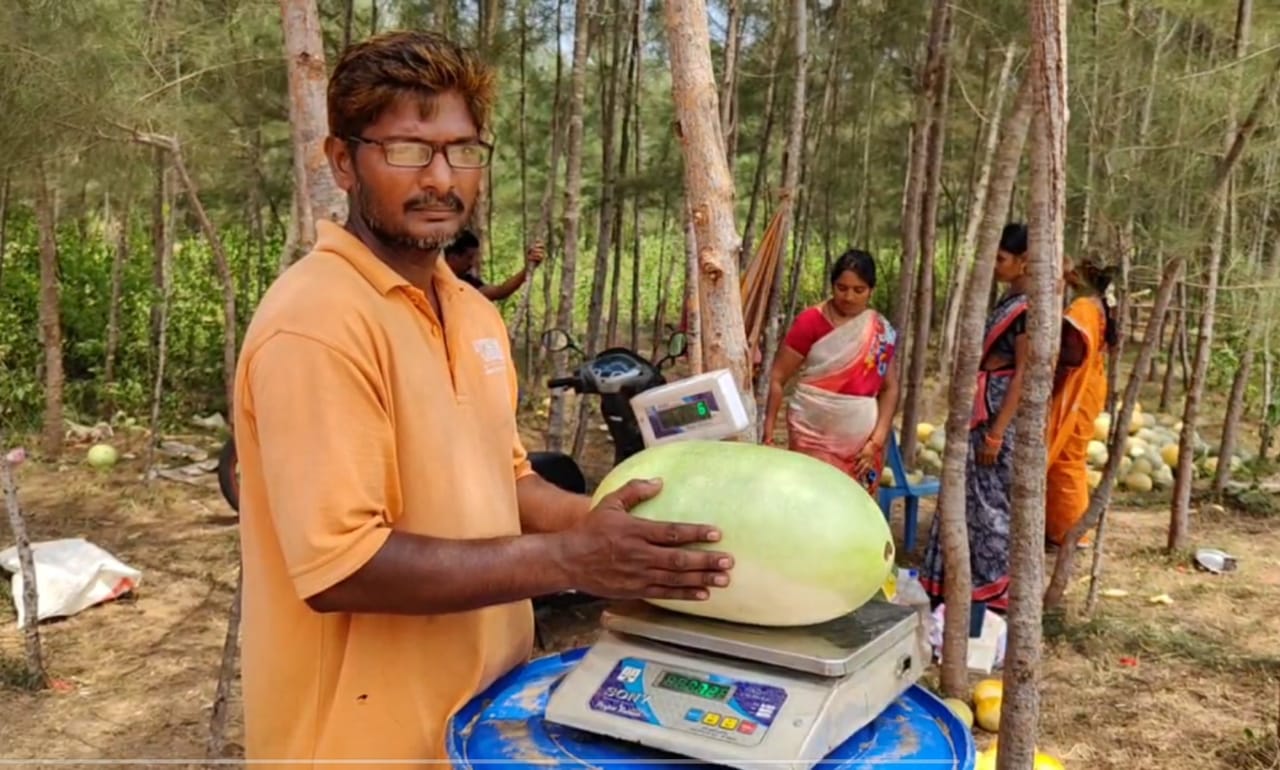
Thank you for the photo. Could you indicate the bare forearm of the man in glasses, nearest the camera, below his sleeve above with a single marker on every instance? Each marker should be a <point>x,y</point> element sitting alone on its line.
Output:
<point>413,575</point>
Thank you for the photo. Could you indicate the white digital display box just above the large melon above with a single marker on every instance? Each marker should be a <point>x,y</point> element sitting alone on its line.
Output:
<point>706,407</point>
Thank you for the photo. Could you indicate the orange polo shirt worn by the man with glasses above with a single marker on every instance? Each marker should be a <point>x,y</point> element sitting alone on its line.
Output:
<point>359,414</point>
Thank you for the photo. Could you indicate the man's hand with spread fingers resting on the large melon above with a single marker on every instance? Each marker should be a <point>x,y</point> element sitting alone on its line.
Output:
<point>616,556</point>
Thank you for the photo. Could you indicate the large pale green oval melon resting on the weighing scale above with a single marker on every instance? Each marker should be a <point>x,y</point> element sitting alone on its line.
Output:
<point>810,544</point>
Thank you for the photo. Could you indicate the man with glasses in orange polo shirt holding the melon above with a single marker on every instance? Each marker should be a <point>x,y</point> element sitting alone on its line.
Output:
<point>392,531</point>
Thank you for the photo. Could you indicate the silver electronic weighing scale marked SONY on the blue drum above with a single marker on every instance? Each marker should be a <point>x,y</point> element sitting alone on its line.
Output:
<point>738,695</point>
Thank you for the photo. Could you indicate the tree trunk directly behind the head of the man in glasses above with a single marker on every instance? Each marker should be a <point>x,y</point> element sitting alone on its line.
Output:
<point>309,120</point>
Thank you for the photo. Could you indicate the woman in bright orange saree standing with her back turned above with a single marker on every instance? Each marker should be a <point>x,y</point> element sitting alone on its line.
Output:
<point>1090,332</point>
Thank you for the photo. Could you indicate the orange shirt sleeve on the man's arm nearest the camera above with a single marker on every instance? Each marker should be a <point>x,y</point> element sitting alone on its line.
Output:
<point>328,457</point>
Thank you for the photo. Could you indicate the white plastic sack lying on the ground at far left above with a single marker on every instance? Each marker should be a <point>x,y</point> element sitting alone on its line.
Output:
<point>72,575</point>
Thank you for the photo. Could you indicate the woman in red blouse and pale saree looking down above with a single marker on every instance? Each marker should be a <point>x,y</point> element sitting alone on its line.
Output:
<point>843,406</point>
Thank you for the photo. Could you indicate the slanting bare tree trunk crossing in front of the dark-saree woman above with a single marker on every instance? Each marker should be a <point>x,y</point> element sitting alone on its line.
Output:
<point>964,383</point>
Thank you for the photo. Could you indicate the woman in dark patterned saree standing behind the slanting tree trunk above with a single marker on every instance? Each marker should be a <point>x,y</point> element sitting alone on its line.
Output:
<point>989,471</point>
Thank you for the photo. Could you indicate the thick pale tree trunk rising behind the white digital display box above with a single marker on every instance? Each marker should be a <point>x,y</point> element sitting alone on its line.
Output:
<point>711,192</point>
